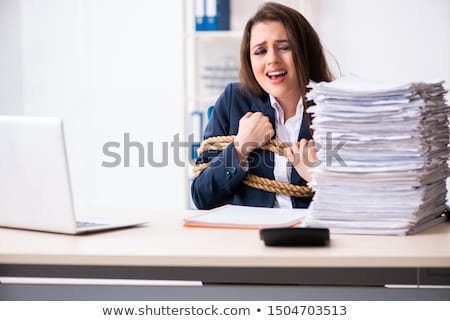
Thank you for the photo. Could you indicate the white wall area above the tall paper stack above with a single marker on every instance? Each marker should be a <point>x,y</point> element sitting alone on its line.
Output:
<point>399,40</point>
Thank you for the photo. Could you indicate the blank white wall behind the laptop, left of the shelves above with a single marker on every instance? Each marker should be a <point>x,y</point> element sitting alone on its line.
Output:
<point>106,67</point>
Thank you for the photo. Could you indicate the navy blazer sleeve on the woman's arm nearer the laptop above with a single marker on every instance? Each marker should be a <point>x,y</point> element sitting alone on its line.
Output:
<point>217,184</point>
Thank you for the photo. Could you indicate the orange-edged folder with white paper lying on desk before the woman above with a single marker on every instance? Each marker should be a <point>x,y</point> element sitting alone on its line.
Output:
<point>246,217</point>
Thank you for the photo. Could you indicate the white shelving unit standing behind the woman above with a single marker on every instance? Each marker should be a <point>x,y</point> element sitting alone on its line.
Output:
<point>211,60</point>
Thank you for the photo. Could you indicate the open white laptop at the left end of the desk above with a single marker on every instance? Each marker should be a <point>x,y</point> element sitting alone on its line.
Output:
<point>35,186</point>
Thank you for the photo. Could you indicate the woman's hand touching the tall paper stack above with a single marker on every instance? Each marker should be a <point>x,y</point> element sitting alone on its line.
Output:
<point>303,156</point>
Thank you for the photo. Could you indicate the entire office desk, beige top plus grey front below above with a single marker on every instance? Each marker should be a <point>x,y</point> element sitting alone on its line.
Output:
<point>228,259</point>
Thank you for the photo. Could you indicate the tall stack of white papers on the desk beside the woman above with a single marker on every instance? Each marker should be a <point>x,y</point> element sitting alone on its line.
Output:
<point>383,152</point>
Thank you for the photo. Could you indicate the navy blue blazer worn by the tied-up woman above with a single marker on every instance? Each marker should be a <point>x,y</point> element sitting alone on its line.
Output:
<point>221,183</point>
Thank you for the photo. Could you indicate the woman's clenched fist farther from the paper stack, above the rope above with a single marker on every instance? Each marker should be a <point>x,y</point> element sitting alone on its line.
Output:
<point>255,130</point>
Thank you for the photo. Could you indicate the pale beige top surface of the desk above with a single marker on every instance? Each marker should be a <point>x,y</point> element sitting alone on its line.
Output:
<point>165,242</point>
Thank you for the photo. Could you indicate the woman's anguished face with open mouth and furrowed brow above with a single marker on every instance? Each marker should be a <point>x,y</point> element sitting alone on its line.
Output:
<point>272,61</point>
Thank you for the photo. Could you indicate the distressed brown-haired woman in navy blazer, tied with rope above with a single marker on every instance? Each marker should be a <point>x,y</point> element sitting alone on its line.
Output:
<point>280,54</point>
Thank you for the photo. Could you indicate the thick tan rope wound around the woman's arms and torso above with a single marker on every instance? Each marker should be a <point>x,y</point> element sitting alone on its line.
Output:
<point>219,143</point>
